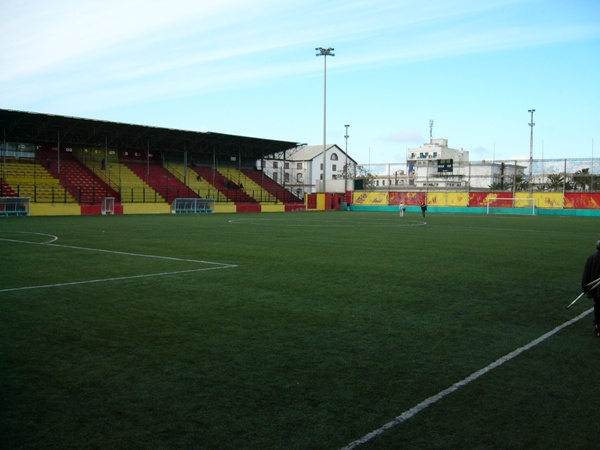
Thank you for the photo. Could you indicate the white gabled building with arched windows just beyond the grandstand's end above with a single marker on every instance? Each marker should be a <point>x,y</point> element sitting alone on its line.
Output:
<point>300,170</point>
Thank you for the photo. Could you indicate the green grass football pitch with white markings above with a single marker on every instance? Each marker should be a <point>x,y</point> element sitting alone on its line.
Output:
<point>296,331</point>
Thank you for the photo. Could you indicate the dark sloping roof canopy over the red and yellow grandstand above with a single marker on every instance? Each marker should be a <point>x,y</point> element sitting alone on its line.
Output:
<point>48,129</point>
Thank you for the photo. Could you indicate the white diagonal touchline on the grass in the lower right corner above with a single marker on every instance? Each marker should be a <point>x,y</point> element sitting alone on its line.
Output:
<point>435,398</point>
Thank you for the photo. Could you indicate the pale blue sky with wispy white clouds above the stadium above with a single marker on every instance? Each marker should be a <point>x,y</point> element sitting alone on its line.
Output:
<point>249,68</point>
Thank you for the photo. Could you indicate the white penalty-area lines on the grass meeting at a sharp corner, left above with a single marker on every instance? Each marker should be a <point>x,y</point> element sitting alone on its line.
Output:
<point>169,258</point>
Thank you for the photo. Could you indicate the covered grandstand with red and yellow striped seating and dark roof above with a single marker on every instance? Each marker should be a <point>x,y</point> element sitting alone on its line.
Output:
<point>84,161</point>
